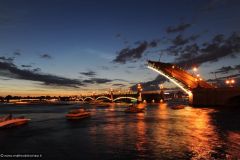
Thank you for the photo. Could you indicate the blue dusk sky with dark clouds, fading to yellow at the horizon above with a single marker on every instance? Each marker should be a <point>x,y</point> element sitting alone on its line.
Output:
<point>69,47</point>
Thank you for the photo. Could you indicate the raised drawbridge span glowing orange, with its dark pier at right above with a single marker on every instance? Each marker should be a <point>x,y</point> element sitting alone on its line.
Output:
<point>200,92</point>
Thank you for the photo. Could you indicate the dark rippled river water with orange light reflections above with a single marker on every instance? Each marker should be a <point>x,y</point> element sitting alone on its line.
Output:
<point>110,133</point>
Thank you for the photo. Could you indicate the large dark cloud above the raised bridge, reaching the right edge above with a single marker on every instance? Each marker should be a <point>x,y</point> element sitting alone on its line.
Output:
<point>218,48</point>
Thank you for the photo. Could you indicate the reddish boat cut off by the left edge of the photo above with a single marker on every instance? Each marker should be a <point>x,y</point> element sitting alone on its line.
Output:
<point>9,121</point>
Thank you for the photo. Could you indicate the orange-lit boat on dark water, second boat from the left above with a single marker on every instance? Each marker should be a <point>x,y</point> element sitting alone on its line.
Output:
<point>77,114</point>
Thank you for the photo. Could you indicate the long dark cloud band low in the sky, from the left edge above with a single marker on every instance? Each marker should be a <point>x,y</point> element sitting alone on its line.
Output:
<point>12,71</point>
